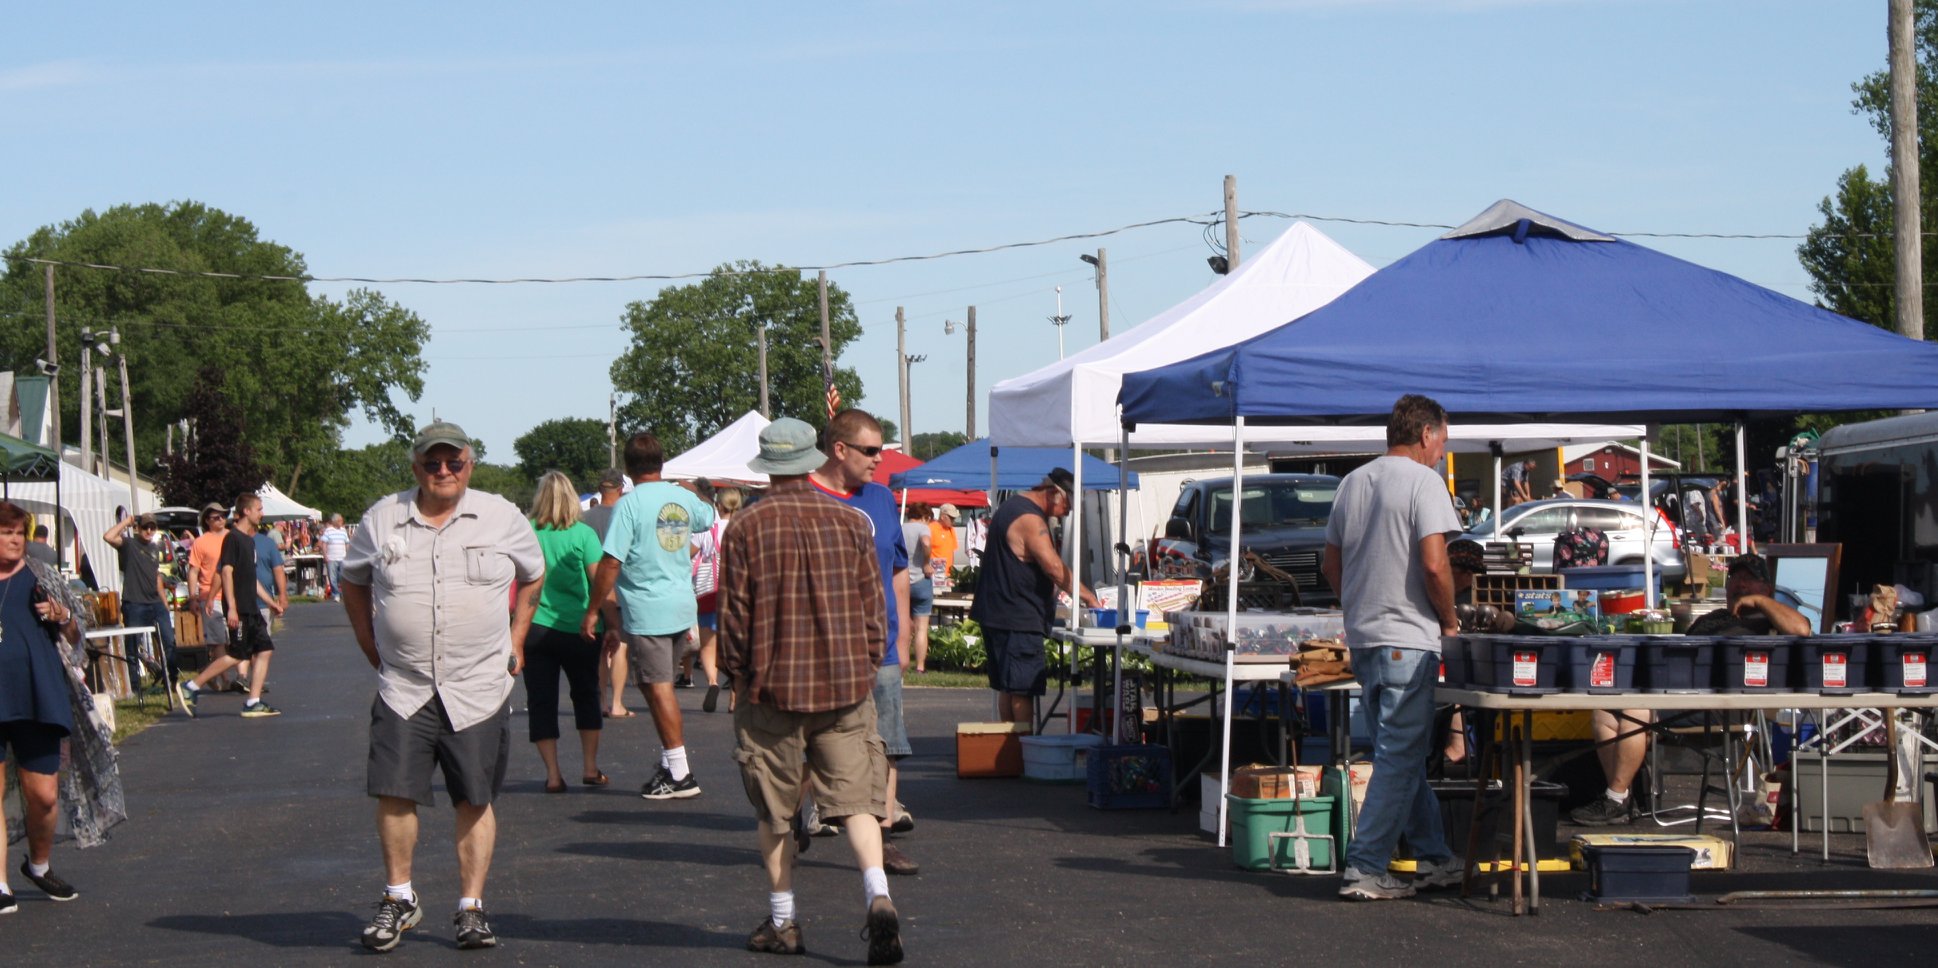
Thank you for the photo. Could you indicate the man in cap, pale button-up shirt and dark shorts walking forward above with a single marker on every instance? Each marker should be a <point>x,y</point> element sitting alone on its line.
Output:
<point>425,587</point>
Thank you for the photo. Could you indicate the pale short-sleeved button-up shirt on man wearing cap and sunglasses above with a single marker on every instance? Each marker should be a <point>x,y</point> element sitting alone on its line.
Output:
<point>441,600</point>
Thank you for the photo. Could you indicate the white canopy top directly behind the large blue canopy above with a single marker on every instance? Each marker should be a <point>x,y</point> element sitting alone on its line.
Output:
<point>1075,401</point>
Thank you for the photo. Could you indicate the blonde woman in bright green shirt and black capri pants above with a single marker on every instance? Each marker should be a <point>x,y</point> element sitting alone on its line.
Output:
<point>555,645</point>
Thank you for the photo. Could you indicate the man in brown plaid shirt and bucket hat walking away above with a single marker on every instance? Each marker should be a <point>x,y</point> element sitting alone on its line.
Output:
<point>803,628</point>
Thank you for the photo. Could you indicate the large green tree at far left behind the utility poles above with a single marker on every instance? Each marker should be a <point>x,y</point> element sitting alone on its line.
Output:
<point>296,366</point>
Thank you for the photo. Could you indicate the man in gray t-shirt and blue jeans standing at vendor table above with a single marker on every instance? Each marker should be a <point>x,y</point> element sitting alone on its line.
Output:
<point>1387,556</point>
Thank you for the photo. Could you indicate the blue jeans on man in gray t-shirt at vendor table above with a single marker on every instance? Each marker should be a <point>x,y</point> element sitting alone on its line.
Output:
<point>1398,695</point>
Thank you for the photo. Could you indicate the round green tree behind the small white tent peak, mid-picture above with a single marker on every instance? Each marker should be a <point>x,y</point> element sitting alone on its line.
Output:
<point>693,364</point>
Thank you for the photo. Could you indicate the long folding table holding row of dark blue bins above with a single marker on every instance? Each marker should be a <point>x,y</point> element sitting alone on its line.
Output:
<point>1520,740</point>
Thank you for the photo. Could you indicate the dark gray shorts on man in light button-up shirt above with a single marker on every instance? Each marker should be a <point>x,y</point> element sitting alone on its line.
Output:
<point>406,752</point>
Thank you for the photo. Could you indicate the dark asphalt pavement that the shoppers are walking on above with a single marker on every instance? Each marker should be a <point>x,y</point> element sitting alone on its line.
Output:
<point>251,843</point>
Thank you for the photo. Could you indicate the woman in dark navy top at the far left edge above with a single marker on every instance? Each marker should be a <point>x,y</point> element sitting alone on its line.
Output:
<point>36,703</point>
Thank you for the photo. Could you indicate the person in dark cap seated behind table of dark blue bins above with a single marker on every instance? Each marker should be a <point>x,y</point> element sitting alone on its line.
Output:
<point>1751,610</point>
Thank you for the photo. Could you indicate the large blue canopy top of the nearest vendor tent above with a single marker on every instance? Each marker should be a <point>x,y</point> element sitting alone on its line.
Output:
<point>1522,317</point>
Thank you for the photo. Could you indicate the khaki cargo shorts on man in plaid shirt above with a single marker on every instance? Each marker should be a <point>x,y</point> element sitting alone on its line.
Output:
<point>838,752</point>
